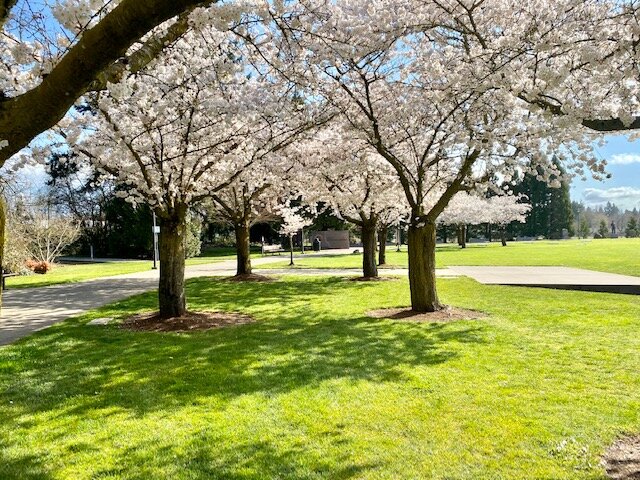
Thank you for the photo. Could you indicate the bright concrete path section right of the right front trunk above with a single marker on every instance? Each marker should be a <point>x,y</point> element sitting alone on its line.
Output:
<point>553,277</point>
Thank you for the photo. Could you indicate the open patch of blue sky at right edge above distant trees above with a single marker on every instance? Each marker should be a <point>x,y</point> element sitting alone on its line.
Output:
<point>623,188</point>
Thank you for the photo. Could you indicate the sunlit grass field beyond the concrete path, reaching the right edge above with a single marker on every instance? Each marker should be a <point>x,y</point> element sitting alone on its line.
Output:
<point>619,255</point>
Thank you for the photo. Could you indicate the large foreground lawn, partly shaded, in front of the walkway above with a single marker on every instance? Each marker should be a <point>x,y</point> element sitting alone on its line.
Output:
<point>314,389</point>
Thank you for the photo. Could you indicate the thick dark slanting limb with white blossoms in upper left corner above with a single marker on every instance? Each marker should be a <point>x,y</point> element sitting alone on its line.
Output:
<point>54,52</point>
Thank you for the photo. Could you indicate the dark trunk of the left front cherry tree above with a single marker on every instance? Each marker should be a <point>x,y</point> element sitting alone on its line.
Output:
<point>171,297</point>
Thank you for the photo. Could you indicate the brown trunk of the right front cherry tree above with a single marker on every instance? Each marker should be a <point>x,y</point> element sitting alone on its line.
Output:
<point>422,268</point>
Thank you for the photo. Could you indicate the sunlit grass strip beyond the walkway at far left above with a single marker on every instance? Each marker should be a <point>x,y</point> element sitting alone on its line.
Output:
<point>70,273</point>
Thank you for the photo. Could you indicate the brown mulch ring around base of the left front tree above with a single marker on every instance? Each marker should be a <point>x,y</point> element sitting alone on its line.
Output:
<point>189,322</point>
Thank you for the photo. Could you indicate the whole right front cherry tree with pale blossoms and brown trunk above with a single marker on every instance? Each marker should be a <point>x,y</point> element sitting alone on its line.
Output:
<point>430,86</point>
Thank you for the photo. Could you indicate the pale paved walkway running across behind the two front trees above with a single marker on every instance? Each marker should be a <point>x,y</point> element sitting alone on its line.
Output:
<point>31,309</point>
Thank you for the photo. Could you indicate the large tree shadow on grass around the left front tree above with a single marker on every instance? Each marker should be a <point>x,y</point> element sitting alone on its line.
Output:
<point>290,348</point>
